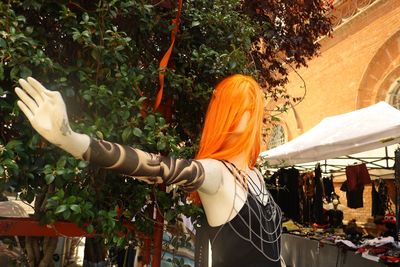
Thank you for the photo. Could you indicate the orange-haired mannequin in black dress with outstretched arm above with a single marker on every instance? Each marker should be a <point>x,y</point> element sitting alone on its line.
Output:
<point>231,190</point>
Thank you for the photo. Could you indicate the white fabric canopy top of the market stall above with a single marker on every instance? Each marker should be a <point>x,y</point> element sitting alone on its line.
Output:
<point>361,130</point>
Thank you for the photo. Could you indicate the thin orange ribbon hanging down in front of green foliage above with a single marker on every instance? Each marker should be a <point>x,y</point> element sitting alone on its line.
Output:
<point>165,59</point>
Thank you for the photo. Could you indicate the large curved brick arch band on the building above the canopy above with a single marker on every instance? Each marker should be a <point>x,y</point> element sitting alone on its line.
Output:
<point>381,70</point>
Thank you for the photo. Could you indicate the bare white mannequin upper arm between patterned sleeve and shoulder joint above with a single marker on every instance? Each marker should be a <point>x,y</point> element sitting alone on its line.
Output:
<point>213,175</point>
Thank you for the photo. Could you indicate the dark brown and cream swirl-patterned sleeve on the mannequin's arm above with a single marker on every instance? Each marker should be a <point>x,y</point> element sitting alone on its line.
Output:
<point>189,174</point>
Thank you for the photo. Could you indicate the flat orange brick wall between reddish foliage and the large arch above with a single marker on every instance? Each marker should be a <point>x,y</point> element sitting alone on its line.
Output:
<point>333,81</point>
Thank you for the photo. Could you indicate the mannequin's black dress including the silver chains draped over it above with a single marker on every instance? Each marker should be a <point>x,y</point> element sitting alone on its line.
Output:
<point>251,238</point>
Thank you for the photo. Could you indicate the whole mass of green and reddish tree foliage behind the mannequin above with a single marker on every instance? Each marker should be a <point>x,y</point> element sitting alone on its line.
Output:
<point>103,56</point>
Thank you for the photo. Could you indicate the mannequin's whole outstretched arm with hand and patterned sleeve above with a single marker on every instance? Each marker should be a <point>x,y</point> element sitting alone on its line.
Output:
<point>47,113</point>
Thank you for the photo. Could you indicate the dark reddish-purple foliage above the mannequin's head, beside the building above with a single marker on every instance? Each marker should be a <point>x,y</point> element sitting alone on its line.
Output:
<point>288,39</point>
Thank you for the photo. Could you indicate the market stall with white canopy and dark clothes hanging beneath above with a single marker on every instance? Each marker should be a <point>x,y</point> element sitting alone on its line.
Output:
<point>338,137</point>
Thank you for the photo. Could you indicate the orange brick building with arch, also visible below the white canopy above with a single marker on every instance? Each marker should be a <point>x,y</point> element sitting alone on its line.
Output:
<point>358,66</point>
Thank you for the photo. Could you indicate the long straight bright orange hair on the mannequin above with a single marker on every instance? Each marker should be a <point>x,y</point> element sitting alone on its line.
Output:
<point>232,97</point>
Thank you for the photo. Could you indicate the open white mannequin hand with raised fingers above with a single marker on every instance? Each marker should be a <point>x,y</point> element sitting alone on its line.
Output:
<point>47,114</point>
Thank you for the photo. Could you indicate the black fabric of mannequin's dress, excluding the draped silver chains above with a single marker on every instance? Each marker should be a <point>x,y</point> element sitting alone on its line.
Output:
<point>231,250</point>
